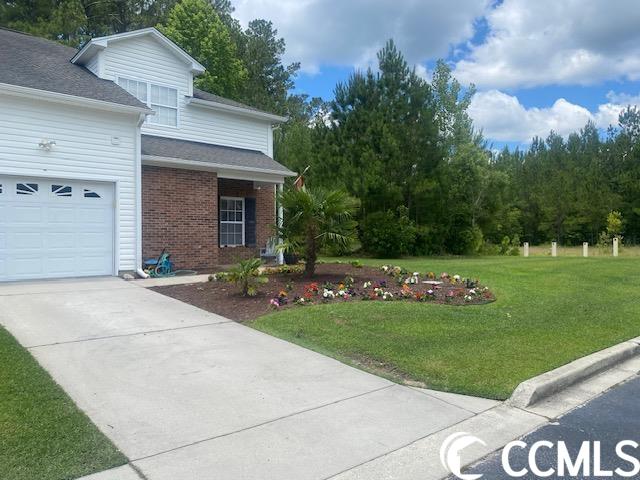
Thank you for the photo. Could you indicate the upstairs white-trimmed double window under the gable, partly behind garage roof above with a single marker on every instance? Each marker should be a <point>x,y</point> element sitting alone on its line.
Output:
<point>162,100</point>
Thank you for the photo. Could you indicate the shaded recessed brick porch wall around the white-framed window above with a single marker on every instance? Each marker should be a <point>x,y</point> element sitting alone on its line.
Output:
<point>265,217</point>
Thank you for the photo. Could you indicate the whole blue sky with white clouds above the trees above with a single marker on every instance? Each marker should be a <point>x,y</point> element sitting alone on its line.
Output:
<point>538,65</point>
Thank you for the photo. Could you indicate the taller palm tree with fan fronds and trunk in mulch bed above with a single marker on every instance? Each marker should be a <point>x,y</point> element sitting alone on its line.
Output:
<point>314,219</point>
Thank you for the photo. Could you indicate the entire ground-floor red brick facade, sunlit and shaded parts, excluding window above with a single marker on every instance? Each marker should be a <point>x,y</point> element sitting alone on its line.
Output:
<point>180,212</point>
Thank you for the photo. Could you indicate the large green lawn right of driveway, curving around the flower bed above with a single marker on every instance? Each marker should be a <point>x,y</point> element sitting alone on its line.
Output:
<point>549,311</point>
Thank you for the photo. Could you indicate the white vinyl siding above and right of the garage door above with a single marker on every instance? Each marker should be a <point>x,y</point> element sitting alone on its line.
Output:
<point>90,145</point>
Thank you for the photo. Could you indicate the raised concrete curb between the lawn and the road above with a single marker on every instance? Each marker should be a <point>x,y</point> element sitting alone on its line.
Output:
<point>538,388</point>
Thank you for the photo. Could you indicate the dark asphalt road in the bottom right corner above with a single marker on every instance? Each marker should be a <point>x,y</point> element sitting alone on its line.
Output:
<point>609,419</point>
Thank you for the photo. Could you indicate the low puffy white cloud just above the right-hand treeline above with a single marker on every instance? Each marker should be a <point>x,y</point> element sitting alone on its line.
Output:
<point>503,118</point>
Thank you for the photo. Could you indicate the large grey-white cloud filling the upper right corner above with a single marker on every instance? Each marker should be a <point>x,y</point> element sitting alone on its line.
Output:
<point>542,42</point>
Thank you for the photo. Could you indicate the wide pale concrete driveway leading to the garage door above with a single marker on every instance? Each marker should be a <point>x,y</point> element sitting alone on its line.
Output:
<point>187,394</point>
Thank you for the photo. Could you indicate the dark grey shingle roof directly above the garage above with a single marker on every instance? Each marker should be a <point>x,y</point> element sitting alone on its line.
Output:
<point>35,62</point>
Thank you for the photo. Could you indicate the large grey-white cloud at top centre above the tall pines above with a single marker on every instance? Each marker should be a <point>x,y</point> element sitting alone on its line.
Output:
<point>350,32</point>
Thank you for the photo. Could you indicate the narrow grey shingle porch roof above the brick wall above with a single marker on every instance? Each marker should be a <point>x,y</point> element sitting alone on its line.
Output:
<point>204,152</point>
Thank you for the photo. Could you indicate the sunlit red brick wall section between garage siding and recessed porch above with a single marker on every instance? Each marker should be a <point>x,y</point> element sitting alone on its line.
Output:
<point>179,212</point>
